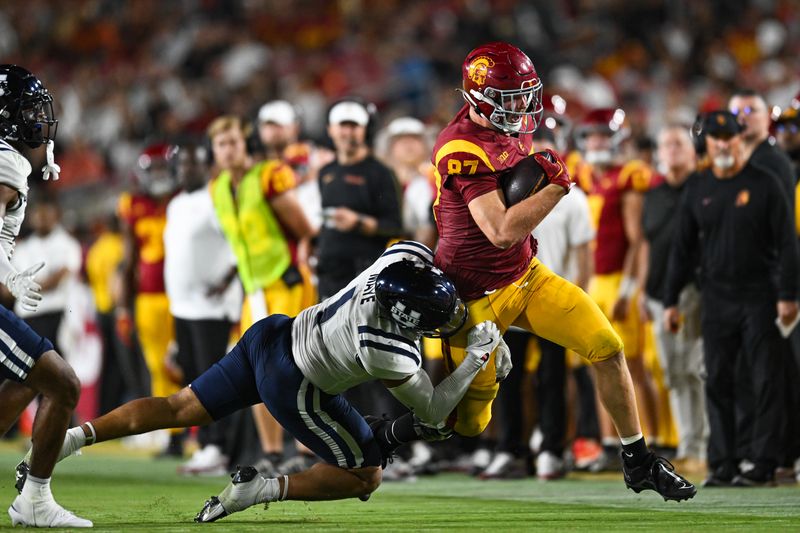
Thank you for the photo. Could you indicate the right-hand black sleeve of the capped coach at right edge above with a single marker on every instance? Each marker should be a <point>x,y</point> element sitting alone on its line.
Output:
<point>781,225</point>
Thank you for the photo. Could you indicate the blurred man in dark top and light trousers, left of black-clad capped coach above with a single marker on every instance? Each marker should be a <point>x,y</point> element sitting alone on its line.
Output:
<point>681,354</point>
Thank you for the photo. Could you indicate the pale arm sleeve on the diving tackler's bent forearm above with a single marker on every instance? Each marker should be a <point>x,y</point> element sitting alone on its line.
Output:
<point>433,404</point>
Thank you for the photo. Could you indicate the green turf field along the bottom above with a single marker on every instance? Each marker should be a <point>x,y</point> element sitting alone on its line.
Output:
<point>123,491</point>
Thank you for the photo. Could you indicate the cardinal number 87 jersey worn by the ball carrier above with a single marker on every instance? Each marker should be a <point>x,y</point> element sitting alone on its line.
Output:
<point>468,159</point>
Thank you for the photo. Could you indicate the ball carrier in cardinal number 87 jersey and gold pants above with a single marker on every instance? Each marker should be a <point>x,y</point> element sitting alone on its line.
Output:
<point>486,248</point>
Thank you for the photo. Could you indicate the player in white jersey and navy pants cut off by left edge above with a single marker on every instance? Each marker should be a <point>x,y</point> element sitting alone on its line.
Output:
<point>27,361</point>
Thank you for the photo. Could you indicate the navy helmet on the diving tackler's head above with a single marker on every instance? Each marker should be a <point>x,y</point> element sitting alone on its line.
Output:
<point>420,297</point>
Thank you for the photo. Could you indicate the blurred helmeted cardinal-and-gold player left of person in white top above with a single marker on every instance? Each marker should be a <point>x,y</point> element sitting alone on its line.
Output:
<point>144,300</point>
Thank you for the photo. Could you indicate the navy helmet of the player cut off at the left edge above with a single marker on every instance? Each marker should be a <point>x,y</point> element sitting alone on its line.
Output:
<point>26,108</point>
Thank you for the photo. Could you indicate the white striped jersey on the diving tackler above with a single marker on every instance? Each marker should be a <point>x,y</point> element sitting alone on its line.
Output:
<point>346,340</point>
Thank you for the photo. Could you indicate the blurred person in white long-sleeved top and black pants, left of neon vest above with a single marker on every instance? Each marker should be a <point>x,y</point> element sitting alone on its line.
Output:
<point>204,298</point>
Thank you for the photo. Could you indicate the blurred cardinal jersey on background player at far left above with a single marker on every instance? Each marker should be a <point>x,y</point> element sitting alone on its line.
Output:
<point>147,217</point>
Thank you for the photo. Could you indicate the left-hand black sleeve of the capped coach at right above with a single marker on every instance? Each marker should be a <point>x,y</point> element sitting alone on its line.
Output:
<point>682,252</point>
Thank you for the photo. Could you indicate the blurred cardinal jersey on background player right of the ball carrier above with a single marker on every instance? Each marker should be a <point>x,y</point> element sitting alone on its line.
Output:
<point>605,202</point>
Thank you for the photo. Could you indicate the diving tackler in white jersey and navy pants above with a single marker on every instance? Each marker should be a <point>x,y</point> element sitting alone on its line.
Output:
<point>298,367</point>
